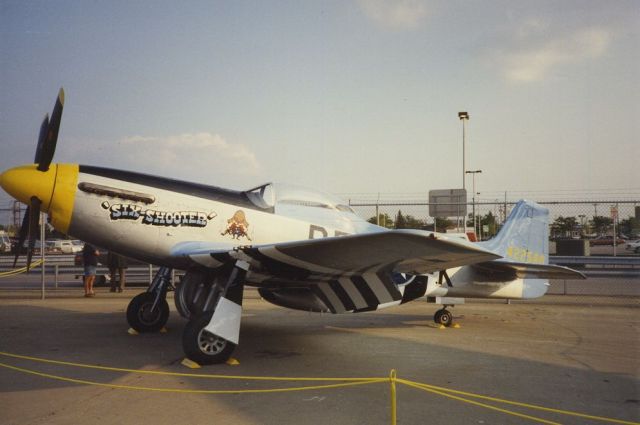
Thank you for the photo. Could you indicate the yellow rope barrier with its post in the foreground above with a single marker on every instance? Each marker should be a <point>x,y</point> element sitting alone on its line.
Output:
<point>341,383</point>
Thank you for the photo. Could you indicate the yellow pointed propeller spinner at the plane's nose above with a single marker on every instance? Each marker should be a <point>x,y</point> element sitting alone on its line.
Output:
<point>26,181</point>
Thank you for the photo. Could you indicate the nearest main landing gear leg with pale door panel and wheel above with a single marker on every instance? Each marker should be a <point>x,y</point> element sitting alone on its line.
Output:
<point>211,337</point>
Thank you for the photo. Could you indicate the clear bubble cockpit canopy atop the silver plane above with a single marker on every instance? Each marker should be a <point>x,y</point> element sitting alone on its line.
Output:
<point>307,205</point>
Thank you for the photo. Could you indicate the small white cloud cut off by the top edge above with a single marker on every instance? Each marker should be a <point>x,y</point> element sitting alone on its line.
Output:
<point>395,14</point>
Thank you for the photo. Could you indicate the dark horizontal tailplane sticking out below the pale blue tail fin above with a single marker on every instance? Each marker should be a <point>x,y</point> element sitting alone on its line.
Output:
<point>511,269</point>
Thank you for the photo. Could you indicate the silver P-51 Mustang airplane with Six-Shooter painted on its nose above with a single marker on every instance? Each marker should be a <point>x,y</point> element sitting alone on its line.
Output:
<point>301,249</point>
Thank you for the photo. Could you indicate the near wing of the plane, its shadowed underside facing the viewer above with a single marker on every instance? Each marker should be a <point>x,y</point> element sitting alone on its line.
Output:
<point>402,251</point>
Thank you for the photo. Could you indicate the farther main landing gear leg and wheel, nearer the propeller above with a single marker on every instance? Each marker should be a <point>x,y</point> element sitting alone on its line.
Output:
<point>149,311</point>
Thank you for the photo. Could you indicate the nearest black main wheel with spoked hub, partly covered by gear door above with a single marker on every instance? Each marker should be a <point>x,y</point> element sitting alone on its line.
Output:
<point>203,347</point>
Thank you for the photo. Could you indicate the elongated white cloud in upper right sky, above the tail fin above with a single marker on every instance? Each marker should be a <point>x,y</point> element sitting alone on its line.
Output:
<point>535,62</point>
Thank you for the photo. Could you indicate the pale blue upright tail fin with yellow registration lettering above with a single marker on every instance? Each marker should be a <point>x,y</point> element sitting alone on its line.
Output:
<point>524,238</point>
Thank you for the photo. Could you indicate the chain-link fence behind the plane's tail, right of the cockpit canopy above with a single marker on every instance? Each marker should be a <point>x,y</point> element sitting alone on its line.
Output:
<point>594,222</point>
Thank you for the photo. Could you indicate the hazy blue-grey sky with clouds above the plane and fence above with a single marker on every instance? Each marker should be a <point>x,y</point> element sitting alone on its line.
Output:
<point>351,97</point>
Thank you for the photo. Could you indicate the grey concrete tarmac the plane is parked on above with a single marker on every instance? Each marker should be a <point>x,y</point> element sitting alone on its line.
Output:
<point>556,352</point>
